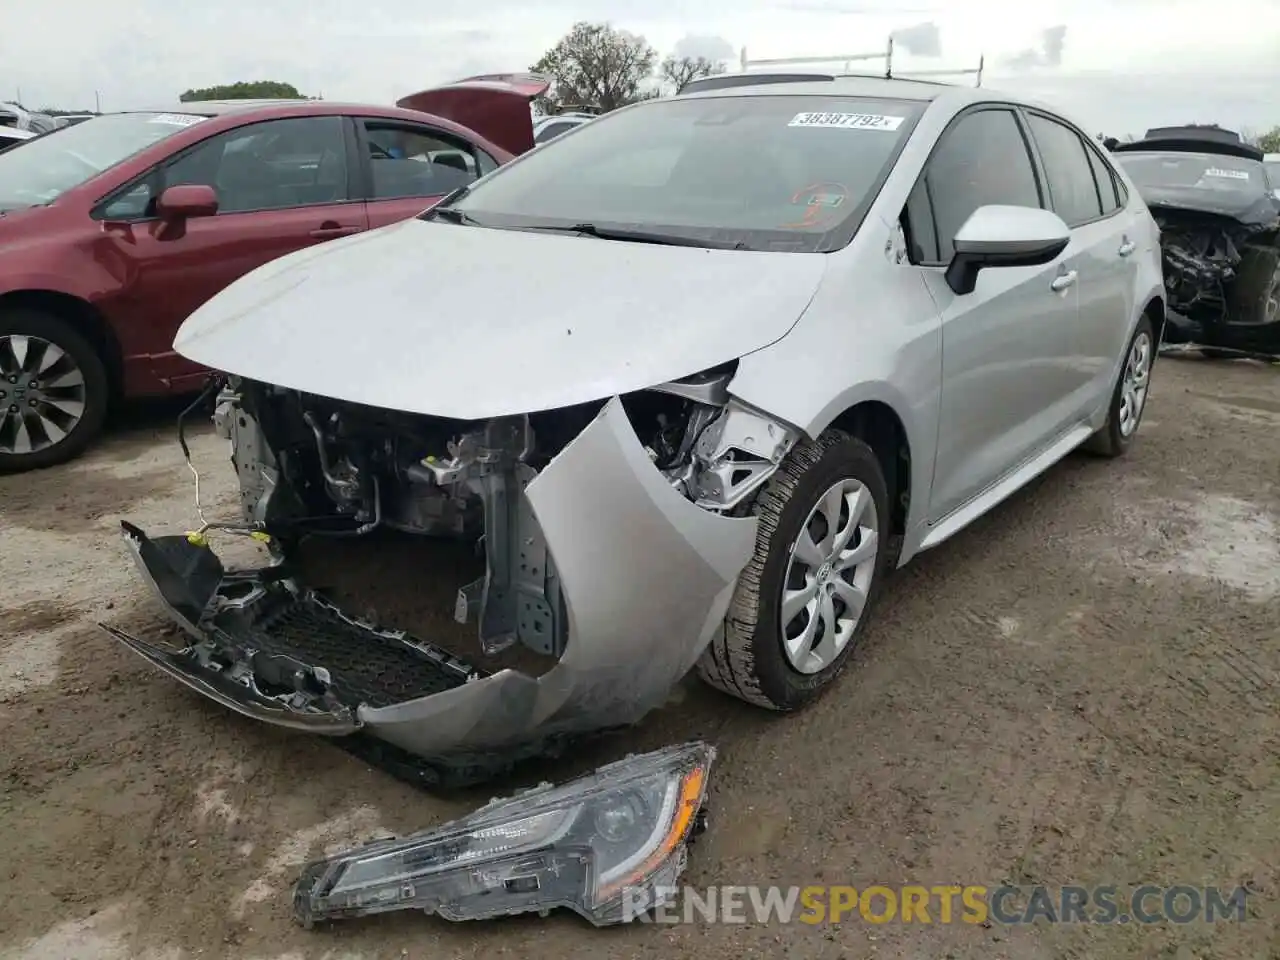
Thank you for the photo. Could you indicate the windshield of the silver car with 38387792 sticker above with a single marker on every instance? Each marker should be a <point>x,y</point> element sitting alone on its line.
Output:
<point>757,172</point>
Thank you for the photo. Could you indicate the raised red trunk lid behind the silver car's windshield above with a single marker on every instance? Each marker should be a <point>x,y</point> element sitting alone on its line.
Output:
<point>495,106</point>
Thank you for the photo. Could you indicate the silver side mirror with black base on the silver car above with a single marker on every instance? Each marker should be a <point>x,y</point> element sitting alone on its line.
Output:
<point>1005,236</point>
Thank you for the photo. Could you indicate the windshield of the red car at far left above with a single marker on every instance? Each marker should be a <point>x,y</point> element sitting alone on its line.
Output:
<point>51,166</point>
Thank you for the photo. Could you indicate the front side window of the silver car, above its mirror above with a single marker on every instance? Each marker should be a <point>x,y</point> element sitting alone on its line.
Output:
<point>981,161</point>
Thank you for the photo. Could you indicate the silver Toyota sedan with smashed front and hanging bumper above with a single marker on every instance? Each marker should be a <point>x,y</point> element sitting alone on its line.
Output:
<point>694,381</point>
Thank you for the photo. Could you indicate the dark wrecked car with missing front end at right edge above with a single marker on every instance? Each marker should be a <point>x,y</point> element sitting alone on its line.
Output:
<point>1220,235</point>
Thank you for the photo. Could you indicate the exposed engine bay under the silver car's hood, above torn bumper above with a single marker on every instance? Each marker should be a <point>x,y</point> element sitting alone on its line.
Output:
<point>313,467</point>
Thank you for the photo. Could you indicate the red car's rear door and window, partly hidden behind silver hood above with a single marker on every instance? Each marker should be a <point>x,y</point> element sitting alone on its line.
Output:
<point>408,167</point>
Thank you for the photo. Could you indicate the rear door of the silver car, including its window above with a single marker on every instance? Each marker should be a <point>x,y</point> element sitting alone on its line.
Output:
<point>1082,190</point>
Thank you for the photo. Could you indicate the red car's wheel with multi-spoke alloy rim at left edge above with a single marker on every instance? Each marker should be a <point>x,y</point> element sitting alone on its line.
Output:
<point>58,418</point>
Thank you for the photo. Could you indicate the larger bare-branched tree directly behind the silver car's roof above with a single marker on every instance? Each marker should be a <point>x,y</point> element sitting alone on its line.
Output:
<point>598,66</point>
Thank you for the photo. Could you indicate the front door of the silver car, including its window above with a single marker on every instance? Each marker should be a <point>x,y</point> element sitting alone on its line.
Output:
<point>1005,391</point>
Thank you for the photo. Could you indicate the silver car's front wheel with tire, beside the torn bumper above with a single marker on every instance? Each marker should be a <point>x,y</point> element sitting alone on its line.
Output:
<point>806,597</point>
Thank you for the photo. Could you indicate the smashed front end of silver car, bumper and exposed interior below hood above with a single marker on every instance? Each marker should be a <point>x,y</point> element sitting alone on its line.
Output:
<point>668,473</point>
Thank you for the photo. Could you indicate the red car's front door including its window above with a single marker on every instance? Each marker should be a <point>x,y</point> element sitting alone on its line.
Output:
<point>282,185</point>
